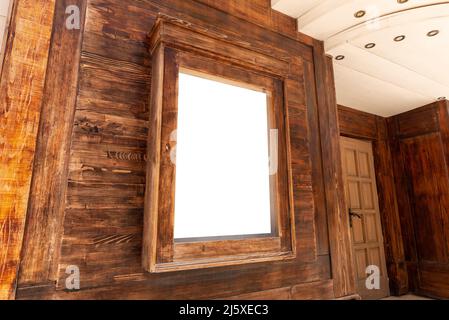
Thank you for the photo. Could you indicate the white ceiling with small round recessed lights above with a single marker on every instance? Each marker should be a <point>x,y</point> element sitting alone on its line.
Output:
<point>393,77</point>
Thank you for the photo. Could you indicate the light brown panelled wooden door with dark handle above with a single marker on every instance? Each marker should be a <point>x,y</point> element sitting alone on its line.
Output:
<point>363,211</point>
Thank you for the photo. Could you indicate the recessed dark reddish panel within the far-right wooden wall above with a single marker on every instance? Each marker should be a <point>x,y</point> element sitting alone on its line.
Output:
<point>426,171</point>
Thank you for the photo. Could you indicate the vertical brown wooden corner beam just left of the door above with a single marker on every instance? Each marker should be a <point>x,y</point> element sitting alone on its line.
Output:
<point>338,222</point>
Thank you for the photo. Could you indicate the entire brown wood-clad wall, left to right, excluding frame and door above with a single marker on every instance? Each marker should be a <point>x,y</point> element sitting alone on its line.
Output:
<point>77,119</point>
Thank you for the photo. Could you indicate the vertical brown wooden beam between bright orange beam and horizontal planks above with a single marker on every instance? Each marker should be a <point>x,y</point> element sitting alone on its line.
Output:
<point>43,230</point>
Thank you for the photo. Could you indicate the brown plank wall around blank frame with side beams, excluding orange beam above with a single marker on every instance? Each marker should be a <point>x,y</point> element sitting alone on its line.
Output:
<point>87,196</point>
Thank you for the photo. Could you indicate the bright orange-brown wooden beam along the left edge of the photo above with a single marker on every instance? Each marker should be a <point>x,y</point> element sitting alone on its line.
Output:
<point>21,94</point>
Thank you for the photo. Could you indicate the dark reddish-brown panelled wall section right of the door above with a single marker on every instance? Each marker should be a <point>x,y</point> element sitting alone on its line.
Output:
<point>419,143</point>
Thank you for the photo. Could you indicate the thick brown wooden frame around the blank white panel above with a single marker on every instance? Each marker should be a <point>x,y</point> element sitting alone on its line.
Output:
<point>161,253</point>
